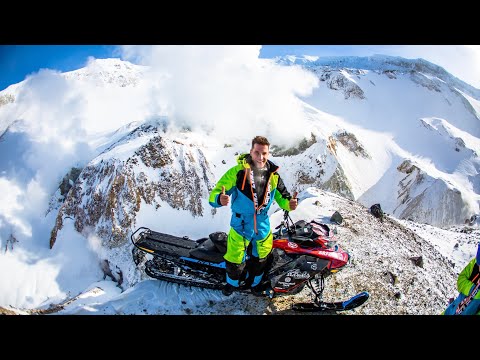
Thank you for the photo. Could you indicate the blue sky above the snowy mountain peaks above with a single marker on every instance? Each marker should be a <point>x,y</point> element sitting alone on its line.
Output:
<point>18,61</point>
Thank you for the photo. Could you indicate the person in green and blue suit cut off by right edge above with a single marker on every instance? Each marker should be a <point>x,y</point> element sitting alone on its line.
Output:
<point>468,286</point>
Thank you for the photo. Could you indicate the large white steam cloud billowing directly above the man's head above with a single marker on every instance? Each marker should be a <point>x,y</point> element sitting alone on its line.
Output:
<point>227,89</point>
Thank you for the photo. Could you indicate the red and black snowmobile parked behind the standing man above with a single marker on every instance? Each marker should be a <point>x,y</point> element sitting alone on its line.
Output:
<point>303,254</point>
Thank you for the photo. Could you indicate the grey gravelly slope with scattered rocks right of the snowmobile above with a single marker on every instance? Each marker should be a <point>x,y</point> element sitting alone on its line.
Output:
<point>402,271</point>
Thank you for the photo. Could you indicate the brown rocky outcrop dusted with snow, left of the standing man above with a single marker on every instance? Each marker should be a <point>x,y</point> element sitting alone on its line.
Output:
<point>145,168</point>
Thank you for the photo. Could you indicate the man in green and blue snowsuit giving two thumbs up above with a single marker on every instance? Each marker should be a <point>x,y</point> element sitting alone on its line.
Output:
<point>251,186</point>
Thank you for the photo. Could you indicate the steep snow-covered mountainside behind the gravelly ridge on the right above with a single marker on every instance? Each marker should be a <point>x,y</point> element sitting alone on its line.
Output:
<point>360,93</point>
